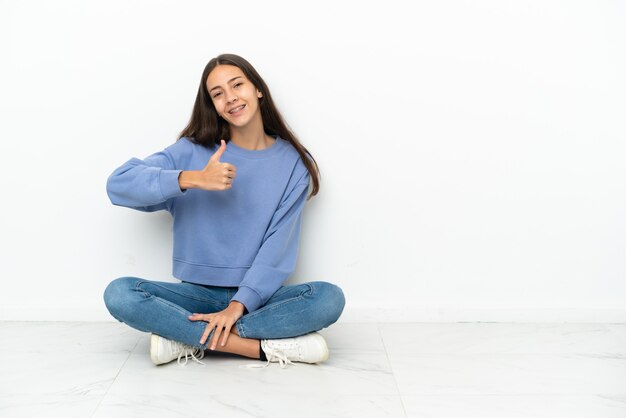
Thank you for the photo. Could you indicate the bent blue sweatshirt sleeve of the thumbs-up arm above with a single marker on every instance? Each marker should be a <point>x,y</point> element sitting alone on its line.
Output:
<point>145,185</point>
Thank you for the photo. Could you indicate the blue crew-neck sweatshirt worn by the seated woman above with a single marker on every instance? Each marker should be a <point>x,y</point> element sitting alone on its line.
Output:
<point>246,236</point>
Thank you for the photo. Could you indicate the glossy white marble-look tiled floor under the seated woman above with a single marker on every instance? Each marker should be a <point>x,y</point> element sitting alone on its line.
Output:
<point>95,369</point>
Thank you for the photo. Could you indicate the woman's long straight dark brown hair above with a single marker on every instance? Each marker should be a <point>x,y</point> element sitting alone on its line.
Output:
<point>207,128</point>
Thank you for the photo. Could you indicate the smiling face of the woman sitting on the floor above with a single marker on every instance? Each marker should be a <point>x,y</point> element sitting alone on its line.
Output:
<point>235,98</point>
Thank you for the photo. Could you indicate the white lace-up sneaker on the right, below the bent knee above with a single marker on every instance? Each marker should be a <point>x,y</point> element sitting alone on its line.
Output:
<point>309,348</point>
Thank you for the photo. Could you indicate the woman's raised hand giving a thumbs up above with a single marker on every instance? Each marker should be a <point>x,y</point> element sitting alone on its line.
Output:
<point>215,176</point>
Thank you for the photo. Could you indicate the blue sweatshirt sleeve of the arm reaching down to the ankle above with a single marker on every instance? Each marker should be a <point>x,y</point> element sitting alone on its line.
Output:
<point>276,259</point>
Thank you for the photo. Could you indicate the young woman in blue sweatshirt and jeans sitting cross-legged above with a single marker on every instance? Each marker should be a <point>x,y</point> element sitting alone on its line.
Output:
<point>235,183</point>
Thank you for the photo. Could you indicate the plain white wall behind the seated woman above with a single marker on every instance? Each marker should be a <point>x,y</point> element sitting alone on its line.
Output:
<point>471,152</point>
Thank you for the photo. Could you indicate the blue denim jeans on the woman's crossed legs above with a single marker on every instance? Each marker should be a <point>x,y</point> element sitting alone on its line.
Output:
<point>163,308</point>
